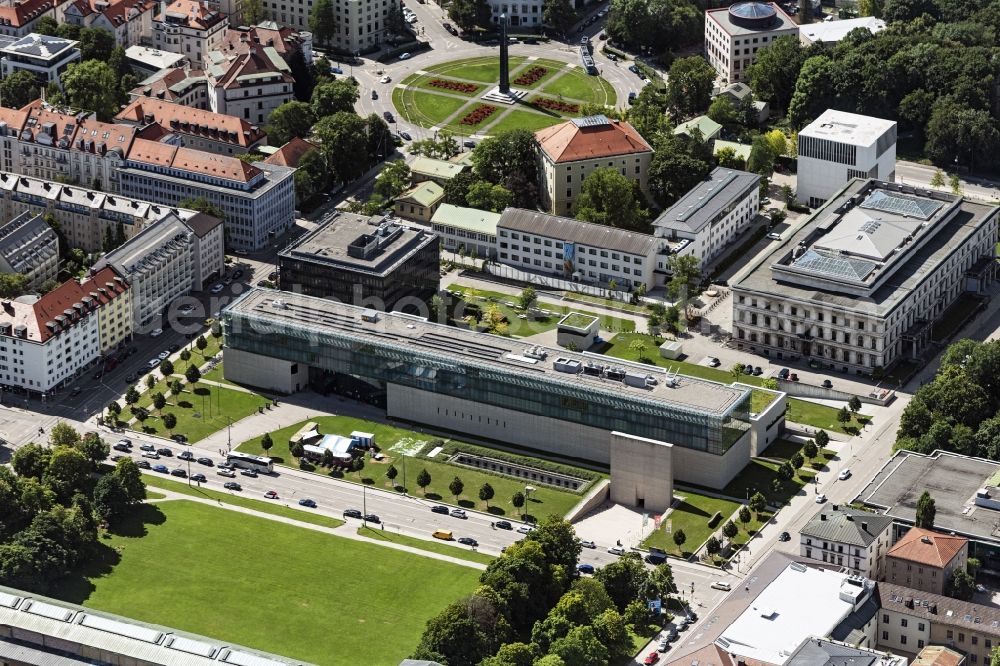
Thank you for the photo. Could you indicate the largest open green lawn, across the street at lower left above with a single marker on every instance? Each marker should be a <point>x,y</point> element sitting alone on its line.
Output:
<point>296,592</point>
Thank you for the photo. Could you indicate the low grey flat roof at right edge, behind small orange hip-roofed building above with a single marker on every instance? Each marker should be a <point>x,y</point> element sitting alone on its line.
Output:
<point>951,479</point>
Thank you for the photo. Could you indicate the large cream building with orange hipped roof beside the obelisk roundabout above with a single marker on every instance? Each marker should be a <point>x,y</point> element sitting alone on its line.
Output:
<point>568,152</point>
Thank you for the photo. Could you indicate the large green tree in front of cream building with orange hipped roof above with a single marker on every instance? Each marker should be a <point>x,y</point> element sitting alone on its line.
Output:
<point>611,199</point>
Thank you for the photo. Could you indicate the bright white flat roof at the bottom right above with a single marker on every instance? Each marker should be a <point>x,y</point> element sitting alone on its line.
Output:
<point>801,602</point>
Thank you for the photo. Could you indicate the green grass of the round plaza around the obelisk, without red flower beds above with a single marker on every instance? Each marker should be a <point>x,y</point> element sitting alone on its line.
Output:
<point>419,102</point>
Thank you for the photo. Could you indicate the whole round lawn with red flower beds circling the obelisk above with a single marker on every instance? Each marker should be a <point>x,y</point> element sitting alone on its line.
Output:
<point>459,96</point>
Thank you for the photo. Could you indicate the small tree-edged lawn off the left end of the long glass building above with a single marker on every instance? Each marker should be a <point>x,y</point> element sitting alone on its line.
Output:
<point>200,410</point>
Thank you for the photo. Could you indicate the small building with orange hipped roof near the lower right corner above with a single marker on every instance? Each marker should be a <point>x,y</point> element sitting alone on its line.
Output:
<point>926,560</point>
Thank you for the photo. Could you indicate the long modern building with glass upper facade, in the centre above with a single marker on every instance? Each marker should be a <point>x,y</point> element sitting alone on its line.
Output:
<point>496,384</point>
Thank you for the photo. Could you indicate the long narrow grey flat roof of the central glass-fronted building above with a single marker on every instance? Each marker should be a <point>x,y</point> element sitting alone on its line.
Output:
<point>415,335</point>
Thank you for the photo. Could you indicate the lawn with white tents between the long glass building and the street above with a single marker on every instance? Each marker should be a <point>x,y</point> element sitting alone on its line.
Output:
<point>394,442</point>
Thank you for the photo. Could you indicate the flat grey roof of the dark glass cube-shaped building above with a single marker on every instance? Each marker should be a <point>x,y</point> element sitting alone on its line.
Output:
<point>377,244</point>
